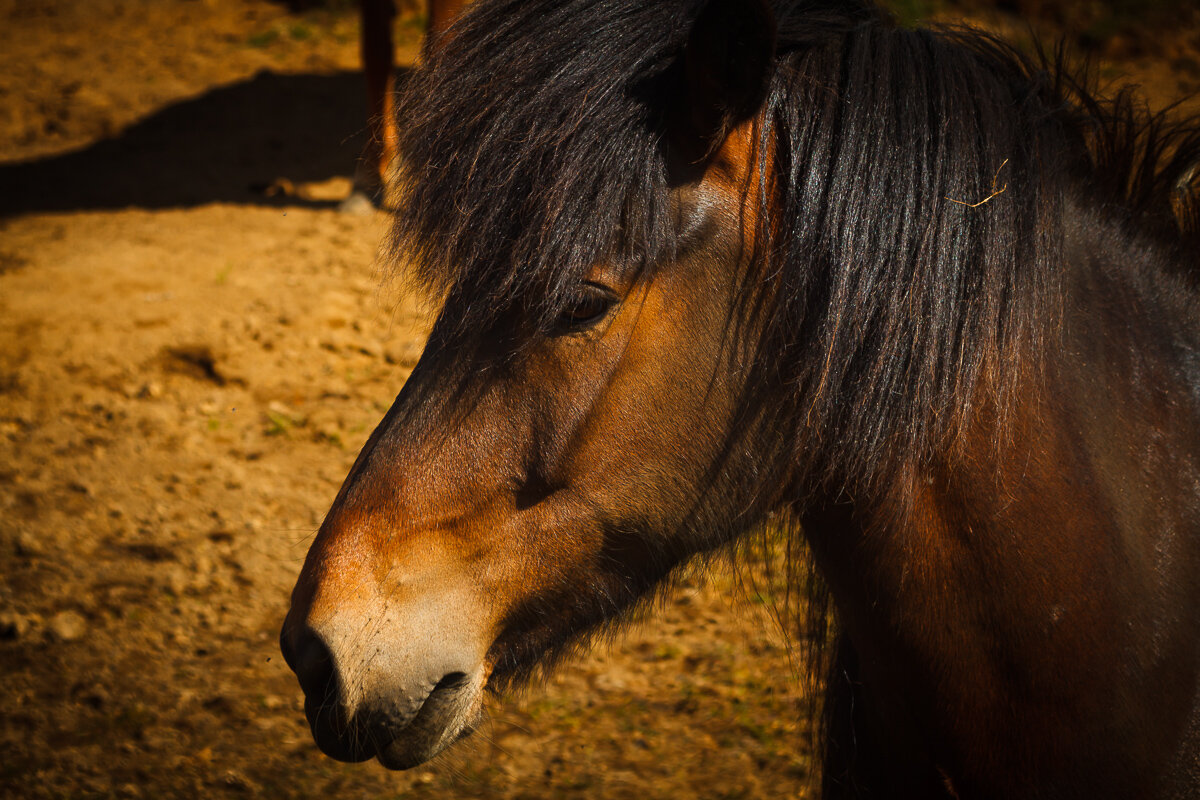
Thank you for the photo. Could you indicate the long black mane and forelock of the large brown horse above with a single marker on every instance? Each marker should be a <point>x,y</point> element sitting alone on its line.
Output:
<point>925,178</point>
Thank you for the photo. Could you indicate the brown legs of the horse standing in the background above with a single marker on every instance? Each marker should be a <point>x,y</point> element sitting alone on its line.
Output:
<point>376,20</point>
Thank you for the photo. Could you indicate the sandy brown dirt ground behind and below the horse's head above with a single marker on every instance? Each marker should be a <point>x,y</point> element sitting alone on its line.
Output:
<point>194,346</point>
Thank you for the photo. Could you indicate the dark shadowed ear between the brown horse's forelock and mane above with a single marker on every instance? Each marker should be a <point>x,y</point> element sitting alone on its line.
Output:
<point>727,70</point>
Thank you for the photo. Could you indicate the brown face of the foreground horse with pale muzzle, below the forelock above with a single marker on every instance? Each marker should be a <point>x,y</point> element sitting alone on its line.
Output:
<point>466,548</point>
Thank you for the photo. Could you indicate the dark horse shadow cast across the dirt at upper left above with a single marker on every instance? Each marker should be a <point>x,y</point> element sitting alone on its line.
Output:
<point>230,146</point>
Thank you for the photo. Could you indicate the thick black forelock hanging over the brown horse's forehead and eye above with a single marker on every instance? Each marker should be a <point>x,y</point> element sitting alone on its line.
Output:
<point>529,143</point>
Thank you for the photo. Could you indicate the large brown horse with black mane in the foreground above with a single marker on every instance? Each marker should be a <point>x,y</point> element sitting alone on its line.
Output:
<point>922,304</point>
